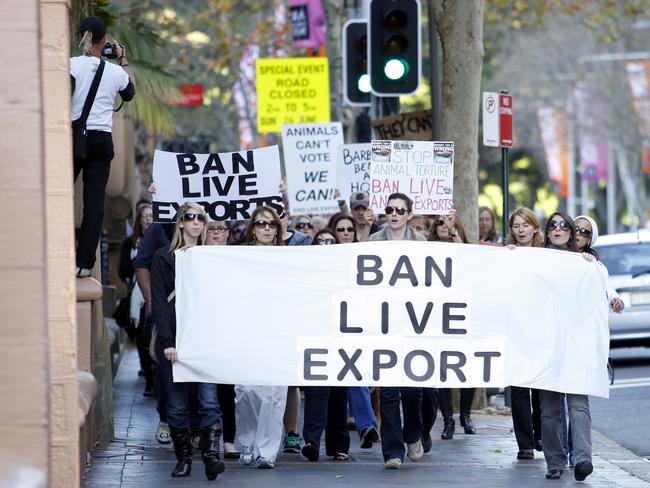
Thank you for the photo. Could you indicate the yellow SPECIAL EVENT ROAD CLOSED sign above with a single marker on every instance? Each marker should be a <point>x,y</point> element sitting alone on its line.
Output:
<point>292,91</point>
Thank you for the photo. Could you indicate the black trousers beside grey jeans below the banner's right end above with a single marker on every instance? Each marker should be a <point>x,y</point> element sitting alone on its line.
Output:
<point>526,416</point>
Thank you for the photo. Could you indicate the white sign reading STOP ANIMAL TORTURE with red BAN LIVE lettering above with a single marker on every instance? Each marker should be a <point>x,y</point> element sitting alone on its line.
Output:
<point>423,170</point>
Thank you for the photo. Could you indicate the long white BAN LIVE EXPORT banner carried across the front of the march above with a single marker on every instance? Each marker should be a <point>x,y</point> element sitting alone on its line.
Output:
<point>392,313</point>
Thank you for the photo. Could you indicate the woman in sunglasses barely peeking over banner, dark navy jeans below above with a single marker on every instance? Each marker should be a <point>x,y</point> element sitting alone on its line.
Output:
<point>326,407</point>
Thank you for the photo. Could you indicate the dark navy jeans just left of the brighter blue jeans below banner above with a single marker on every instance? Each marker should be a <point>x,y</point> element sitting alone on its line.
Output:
<point>326,408</point>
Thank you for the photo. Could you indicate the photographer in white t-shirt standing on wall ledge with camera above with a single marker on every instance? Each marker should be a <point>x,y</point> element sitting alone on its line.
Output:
<point>92,140</point>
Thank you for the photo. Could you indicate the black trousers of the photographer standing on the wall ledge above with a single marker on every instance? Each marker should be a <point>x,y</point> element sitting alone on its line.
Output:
<point>96,168</point>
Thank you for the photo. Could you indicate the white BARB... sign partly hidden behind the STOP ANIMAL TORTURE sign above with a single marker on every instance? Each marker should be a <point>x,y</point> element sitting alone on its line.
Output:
<point>353,170</point>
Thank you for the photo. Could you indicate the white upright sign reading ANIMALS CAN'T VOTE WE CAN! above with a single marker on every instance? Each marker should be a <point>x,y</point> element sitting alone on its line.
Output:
<point>310,156</point>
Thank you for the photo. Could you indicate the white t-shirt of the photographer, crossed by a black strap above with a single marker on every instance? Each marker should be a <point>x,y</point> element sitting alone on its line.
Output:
<point>114,79</point>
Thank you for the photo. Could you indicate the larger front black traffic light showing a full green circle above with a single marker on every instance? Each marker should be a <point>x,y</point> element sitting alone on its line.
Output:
<point>395,45</point>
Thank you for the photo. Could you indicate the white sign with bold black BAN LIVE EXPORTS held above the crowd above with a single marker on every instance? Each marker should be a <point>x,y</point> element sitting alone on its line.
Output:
<point>230,186</point>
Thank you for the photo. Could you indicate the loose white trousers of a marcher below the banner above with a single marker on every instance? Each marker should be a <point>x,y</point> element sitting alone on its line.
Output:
<point>259,411</point>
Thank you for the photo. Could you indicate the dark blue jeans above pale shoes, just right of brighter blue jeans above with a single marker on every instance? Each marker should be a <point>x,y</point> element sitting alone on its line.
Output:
<point>393,436</point>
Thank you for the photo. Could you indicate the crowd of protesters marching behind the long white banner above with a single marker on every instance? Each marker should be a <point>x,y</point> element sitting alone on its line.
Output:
<point>256,422</point>
